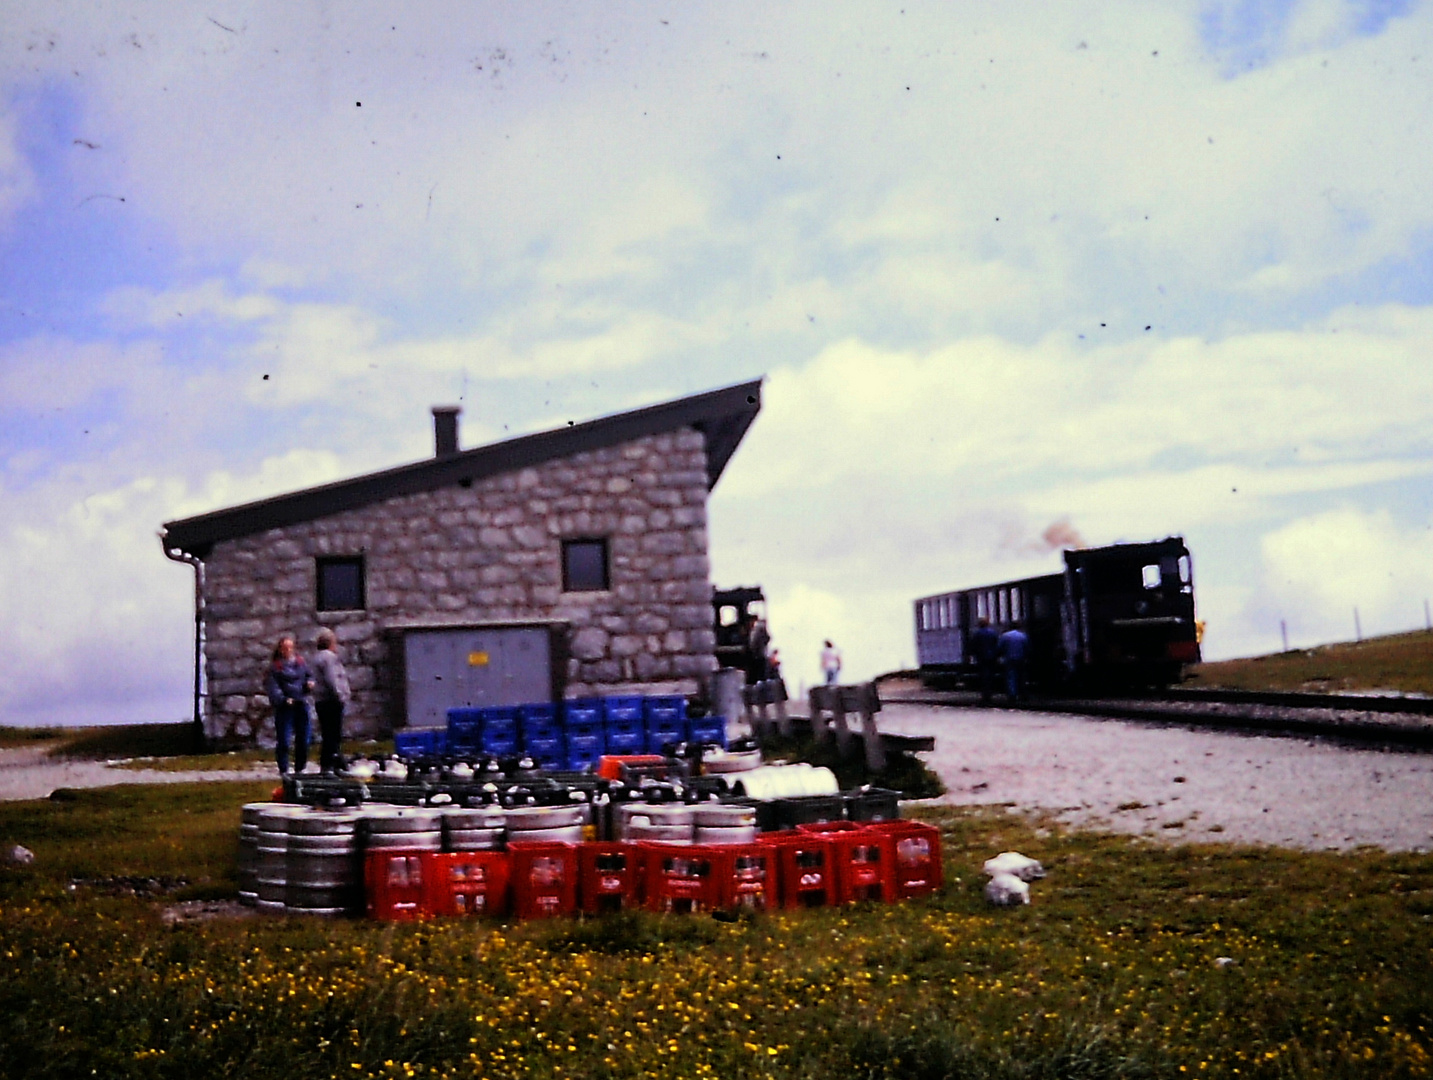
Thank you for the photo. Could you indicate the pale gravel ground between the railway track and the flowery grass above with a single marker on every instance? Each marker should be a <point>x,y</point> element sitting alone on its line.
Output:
<point>1176,783</point>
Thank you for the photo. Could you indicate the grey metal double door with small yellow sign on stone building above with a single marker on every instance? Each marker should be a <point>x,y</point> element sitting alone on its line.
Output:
<point>475,665</point>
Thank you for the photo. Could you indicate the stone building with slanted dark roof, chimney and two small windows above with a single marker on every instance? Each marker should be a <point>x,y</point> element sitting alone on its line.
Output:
<point>595,532</point>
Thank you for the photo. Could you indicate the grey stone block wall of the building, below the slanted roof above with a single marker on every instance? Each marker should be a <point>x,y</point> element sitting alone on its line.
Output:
<point>488,552</point>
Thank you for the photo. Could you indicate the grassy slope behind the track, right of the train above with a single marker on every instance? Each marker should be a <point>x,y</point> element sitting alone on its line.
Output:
<point>1399,664</point>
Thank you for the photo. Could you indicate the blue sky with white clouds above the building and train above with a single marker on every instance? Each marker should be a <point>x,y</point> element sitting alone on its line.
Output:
<point>1012,273</point>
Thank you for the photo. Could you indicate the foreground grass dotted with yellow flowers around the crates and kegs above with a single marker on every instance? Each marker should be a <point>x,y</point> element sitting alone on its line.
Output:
<point>1110,973</point>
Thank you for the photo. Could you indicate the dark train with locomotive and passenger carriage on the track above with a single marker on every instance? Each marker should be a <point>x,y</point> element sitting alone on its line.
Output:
<point>1117,617</point>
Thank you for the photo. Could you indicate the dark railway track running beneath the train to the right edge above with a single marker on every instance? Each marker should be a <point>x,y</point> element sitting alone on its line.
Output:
<point>1406,723</point>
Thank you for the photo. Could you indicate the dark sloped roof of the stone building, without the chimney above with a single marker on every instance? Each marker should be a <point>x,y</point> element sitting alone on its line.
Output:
<point>720,415</point>
